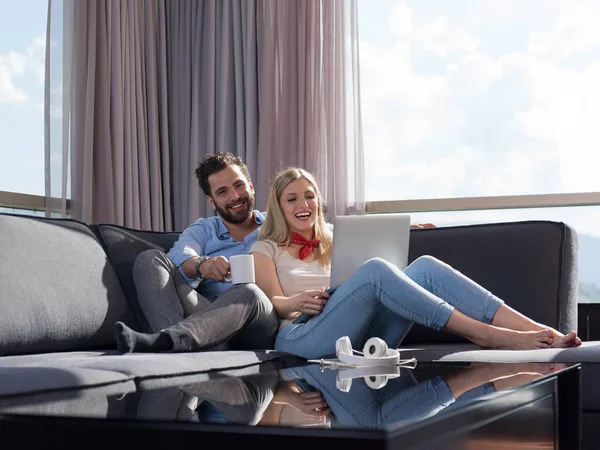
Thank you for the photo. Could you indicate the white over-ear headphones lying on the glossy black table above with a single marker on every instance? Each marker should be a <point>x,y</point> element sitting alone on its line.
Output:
<point>375,353</point>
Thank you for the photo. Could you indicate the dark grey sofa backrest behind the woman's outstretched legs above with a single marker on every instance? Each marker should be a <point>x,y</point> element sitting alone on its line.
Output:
<point>505,258</point>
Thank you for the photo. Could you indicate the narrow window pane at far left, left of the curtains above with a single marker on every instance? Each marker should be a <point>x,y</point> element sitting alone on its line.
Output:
<point>22,47</point>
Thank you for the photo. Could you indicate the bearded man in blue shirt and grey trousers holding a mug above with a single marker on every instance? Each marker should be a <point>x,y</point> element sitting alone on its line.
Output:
<point>185,296</point>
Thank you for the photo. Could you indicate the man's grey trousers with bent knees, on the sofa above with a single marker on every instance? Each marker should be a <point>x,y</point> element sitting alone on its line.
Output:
<point>242,315</point>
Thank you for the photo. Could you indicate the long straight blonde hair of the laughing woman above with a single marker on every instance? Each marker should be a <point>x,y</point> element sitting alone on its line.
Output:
<point>275,227</point>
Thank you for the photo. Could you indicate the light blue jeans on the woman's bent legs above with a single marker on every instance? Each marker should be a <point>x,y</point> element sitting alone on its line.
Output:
<point>380,300</point>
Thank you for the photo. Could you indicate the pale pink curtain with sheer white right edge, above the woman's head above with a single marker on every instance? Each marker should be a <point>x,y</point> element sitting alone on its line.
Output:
<point>312,118</point>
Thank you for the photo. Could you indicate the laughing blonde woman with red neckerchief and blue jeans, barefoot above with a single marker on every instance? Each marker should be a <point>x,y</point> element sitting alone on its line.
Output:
<point>292,265</point>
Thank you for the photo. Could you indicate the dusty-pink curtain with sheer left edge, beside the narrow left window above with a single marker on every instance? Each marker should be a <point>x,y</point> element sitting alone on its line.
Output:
<point>107,129</point>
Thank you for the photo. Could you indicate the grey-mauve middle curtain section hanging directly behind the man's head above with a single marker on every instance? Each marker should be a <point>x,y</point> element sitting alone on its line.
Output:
<point>213,94</point>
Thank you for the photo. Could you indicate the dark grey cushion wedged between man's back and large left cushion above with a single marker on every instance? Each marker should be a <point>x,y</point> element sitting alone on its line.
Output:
<point>123,245</point>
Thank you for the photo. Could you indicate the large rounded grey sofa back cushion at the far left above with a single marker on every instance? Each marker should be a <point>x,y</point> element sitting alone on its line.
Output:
<point>57,290</point>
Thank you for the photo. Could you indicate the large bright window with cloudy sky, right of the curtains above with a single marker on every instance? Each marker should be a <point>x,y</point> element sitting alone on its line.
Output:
<point>484,98</point>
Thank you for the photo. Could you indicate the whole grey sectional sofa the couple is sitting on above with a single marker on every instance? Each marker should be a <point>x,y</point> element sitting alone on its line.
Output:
<point>64,284</point>
